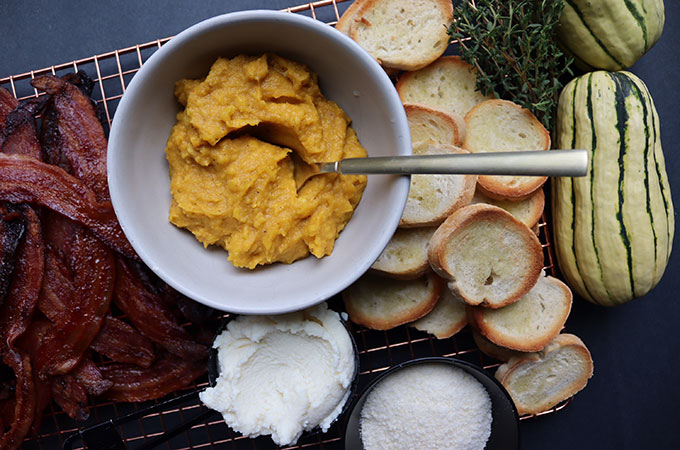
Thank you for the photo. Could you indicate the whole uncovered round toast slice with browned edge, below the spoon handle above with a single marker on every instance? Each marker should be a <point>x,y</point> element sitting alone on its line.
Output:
<point>489,257</point>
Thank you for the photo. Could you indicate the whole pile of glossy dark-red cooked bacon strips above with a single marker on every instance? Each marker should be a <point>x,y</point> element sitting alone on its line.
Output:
<point>64,262</point>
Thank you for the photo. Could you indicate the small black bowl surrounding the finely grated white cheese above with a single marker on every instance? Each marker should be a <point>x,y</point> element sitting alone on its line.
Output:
<point>505,420</point>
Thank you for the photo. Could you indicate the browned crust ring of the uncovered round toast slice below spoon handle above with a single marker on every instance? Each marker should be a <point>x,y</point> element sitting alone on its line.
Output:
<point>470,216</point>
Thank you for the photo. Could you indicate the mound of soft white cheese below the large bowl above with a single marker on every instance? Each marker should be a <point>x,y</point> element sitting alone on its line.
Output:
<point>282,375</point>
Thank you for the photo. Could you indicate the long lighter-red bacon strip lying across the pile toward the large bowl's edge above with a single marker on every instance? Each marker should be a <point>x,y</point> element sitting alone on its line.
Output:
<point>24,179</point>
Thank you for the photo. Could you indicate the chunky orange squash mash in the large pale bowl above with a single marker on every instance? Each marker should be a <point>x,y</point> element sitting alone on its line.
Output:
<point>231,171</point>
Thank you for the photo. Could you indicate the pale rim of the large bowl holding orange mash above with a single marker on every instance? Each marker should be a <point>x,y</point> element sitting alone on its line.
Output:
<point>141,78</point>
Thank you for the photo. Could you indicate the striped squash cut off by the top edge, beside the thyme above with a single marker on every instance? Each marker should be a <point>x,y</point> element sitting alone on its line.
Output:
<point>610,34</point>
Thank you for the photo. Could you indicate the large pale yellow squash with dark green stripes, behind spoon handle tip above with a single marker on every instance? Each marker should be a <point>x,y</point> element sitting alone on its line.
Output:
<point>613,228</point>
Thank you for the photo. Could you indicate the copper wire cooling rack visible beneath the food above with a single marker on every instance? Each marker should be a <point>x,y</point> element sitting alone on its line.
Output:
<point>379,350</point>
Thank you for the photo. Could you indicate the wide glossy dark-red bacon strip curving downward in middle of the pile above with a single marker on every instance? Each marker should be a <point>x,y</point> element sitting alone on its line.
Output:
<point>92,264</point>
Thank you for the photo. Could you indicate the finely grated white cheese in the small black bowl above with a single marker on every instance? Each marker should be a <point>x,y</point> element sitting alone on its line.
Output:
<point>427,406</point>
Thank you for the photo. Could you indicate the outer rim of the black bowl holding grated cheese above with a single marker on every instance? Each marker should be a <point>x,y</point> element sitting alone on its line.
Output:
<point>430,359</point>
